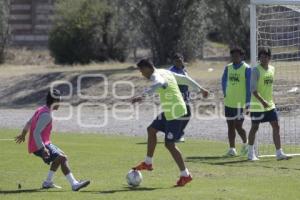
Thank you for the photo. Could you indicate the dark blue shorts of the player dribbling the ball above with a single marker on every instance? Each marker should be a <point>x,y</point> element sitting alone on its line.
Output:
<point>173,129</point>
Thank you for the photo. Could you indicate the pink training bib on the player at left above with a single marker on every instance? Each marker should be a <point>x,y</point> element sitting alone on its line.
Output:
<point>32,147</point>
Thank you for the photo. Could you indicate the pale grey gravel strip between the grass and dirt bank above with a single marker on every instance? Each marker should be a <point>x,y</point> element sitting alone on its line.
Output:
<point>91,118</point>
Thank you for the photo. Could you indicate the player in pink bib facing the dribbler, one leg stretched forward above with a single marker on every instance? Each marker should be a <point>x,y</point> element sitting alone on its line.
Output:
<point>39,143</point>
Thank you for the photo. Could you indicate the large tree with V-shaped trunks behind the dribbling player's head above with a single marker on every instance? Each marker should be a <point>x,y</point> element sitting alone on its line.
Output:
<point>170,26</point>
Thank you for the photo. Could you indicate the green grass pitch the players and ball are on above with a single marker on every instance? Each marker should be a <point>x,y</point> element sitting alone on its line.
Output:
<point>105,160</point>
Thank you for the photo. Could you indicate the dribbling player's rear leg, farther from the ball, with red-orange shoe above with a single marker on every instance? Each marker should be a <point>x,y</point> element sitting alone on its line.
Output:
<point>185,176</point>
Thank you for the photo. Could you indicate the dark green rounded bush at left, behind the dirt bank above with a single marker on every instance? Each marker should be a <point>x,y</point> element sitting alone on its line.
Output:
<point>85,31</point>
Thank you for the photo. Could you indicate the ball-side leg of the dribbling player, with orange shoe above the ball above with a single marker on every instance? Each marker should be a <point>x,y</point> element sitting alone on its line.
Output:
<point>152,141</point>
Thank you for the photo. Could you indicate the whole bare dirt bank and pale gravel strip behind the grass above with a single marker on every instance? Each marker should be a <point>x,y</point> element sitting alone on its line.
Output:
<point>22,88</point>
